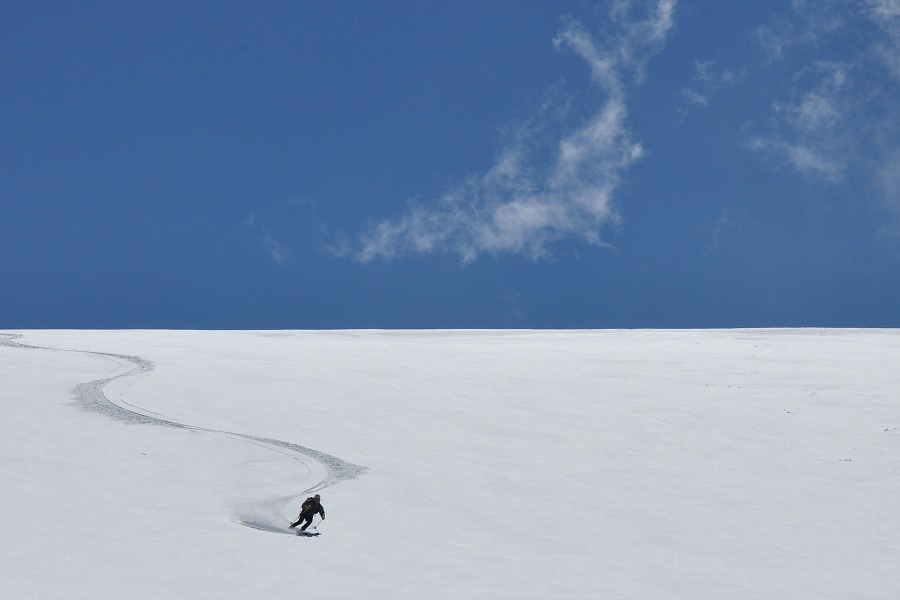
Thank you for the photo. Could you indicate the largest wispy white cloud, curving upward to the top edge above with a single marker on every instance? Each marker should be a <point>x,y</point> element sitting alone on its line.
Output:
<point>522,204</point>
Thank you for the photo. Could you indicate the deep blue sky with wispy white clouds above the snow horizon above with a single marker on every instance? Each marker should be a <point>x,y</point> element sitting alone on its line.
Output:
<point>567,164</point>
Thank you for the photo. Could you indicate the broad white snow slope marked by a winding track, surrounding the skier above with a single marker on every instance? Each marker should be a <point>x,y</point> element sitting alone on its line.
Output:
<point>730,464</point>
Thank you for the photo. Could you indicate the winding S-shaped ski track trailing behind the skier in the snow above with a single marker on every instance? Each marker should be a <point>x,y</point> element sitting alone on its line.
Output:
<point>267,515</point>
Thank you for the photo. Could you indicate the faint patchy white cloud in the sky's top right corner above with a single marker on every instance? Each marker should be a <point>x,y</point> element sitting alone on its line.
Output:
<point>838,113</point>
